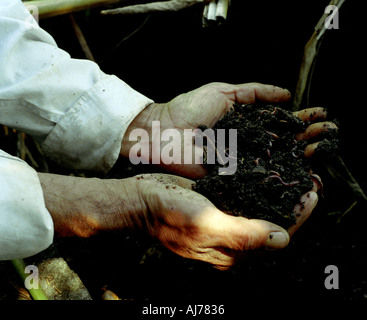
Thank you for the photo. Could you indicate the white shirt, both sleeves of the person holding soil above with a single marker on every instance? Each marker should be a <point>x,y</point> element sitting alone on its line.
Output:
<point>78,114</point>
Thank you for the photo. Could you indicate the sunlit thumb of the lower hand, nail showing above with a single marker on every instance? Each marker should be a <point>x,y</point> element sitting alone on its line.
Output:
<point>243,234</point>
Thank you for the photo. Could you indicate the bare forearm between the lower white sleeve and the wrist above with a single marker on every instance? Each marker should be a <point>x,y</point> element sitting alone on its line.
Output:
<point>87,206</point>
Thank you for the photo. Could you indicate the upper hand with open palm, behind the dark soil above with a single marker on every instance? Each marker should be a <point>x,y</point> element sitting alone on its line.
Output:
<point>205,106</point>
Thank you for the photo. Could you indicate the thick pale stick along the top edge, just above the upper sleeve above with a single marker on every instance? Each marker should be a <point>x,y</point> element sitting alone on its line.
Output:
<point>51,8</point>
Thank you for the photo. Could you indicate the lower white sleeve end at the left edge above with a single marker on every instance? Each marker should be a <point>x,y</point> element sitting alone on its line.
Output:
<point>26,227</point>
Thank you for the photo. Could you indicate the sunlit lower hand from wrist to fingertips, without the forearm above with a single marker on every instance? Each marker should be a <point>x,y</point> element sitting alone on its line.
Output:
<point>190,225</point>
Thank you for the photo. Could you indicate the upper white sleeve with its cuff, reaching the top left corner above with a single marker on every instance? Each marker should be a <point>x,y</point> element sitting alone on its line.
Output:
<point>77,112</point>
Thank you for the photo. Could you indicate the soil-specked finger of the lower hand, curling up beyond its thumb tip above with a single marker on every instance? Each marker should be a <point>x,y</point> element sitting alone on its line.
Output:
<point>303,210</point>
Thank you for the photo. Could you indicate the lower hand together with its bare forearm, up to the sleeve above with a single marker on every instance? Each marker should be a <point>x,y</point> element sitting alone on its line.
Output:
<point>165,207</point>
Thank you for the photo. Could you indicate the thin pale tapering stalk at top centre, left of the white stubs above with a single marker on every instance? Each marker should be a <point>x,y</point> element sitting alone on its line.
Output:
<point>159,6</point>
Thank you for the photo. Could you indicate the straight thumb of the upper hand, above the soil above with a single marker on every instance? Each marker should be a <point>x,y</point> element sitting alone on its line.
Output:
<point>253,92</point>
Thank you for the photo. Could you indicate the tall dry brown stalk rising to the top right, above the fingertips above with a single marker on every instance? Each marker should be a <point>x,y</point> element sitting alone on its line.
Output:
<point>309,56</point>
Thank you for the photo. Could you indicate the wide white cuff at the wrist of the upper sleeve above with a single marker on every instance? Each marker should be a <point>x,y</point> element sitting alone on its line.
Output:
<point>90,133</point>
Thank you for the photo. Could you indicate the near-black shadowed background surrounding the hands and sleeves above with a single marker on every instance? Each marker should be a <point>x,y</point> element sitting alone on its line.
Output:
<point>261,41</point>
